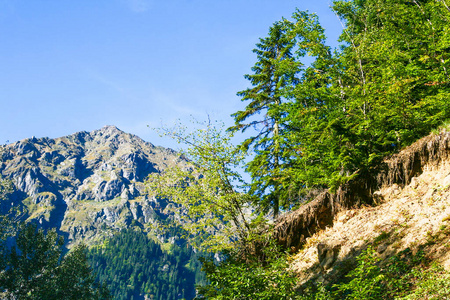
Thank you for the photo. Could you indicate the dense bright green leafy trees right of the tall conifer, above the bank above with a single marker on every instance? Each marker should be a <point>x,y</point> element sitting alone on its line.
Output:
<point>385,88</point>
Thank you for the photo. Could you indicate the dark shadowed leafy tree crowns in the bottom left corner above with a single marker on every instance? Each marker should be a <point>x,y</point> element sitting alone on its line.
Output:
<point>35,268</point>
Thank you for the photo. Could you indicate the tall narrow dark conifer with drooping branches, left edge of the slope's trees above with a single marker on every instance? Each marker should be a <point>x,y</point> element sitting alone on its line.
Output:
<point>274,72</point>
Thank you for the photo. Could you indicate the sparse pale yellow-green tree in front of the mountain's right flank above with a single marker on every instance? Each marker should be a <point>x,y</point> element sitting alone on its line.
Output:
<point>205,200</point>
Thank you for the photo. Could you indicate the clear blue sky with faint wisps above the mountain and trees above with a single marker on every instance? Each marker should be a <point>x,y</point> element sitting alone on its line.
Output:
<point>69,66</point>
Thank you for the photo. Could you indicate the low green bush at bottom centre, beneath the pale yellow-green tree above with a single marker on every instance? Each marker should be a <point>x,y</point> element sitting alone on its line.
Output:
<point>238,277</point>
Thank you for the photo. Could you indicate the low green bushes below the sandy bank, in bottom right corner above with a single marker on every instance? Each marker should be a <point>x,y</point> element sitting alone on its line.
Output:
<point>404,276</point>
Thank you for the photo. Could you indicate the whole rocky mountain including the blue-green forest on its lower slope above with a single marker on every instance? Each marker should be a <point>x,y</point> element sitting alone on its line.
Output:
<point>90,187</point>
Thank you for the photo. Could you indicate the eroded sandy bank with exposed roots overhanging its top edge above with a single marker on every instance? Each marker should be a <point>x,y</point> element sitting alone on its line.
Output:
<point>411,211</point>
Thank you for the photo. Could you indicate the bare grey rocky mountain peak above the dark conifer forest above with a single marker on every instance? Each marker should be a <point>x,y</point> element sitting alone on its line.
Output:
<point>85,184</point>
